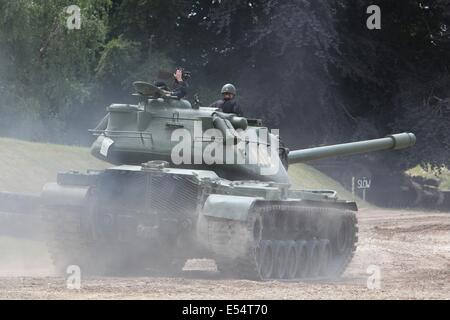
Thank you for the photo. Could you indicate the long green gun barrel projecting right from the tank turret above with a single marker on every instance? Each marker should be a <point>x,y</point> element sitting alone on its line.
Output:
<point>392,142</point>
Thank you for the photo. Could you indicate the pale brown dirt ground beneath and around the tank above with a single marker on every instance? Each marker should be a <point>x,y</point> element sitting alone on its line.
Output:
<point>409,251</point>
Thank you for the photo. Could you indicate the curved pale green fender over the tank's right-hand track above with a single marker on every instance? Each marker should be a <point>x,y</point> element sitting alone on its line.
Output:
<point>228,207</point>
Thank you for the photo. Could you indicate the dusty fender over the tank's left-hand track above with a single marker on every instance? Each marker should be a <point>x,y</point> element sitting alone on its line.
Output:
<point>54,194</point>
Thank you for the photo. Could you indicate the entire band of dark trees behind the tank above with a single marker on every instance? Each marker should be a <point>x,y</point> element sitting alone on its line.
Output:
<point>311,68</point>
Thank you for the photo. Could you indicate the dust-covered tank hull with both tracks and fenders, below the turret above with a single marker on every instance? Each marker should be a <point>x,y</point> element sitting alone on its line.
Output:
<point>151,219</point>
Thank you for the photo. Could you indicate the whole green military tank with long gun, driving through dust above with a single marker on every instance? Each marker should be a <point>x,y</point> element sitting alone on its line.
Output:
<point>191,182</point>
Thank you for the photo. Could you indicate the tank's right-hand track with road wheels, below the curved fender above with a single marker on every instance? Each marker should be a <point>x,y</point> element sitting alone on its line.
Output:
<point>290,243</point>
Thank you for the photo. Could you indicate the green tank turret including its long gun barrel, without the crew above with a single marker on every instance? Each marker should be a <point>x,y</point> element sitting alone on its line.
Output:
<point>164,128</point>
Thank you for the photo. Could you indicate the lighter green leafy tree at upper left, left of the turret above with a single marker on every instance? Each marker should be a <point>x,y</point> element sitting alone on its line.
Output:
<point>48,69</point>
